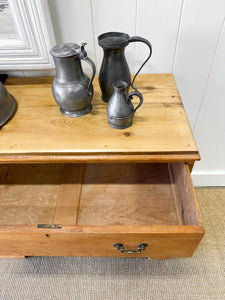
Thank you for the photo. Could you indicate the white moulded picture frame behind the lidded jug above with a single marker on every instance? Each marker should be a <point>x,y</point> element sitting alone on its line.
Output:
<point>26,35</point>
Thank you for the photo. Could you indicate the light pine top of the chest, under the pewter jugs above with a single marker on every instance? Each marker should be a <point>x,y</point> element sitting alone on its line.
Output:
<point>38,132</point>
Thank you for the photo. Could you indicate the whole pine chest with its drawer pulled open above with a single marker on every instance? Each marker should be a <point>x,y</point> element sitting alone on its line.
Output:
<point>77,187</point>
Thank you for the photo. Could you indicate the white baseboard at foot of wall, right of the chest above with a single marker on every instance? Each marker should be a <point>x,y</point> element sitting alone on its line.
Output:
<point>215,178</point>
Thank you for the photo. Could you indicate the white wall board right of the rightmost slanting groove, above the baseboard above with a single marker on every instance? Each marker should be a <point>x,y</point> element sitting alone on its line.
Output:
<point>211,115</point>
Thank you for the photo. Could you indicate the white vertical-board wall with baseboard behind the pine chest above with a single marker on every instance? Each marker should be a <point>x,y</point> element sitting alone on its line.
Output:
<point>188,39</point>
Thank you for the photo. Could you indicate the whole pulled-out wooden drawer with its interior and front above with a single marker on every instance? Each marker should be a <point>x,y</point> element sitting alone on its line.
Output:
<point>147,210</point>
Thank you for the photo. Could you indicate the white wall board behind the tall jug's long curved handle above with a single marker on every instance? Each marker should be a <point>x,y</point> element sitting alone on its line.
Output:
<point>158,21</point>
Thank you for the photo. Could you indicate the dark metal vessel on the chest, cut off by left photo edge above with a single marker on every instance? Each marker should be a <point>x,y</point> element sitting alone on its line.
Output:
<point>7,105</point>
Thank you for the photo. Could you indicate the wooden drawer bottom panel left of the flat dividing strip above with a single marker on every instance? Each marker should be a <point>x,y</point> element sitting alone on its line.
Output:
<point>29,193</point>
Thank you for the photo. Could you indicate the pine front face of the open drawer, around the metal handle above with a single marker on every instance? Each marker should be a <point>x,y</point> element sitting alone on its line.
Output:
<point>162,241</point>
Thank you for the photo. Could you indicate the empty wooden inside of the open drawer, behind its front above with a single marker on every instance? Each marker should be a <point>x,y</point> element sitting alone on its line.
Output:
<point>97,194</point>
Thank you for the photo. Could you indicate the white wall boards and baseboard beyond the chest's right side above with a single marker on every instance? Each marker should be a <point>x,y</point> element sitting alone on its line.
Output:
<point>199,69</point>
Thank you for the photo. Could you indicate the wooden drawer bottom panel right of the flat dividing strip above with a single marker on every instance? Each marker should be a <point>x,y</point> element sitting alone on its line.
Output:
<point>127,194</point>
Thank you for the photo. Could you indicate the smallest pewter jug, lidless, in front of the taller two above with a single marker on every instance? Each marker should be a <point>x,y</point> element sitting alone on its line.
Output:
<point>120,110</point>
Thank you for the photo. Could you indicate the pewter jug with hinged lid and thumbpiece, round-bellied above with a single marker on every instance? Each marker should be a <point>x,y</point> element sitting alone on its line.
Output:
<point>72,88</point>
